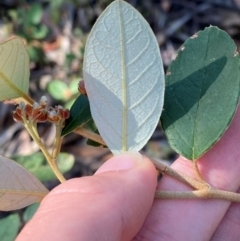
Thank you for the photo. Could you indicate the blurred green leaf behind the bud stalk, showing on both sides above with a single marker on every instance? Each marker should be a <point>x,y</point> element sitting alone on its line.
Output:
<point>39,167</point>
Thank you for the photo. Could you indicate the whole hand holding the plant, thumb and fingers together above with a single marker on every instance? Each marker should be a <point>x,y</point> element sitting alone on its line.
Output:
<point>117,203</point>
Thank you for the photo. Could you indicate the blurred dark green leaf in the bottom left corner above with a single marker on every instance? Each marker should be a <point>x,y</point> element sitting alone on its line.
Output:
<point>9,227</point>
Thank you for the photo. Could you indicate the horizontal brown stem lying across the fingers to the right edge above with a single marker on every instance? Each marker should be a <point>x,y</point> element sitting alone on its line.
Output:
<point>199,194</point>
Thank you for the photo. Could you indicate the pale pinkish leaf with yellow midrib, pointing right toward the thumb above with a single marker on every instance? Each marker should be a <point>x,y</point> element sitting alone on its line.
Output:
<point>18,187</point>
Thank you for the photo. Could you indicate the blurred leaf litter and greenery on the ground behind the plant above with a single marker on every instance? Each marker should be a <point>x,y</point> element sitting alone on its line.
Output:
<point>55,34</point>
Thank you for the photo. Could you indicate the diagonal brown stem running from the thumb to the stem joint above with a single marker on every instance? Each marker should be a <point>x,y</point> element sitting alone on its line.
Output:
<point>181,177</point>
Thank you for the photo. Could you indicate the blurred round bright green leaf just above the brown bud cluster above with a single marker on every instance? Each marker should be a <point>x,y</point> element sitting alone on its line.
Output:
<point>59,90</point>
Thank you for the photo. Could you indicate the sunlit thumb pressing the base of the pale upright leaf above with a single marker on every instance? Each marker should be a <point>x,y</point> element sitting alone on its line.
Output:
<point>111,205</point>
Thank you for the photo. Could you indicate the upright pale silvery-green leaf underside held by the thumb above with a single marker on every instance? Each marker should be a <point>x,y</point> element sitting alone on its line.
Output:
<point>124,77</point>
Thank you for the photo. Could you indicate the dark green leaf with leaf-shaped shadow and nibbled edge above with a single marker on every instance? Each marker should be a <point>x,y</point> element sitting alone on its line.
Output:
<point>202,91</point>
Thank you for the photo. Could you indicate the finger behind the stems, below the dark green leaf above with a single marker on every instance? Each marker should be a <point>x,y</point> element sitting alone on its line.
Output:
<point>197,219</point>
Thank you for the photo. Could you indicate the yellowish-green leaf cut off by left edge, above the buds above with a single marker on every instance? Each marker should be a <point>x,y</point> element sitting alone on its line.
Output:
<point>14,69</point>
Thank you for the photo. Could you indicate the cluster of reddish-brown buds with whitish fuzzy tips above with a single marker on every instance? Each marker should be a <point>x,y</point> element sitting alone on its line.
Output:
<point>38,112</point>
